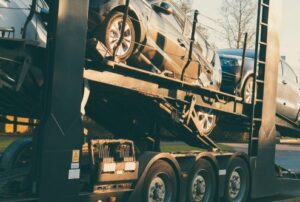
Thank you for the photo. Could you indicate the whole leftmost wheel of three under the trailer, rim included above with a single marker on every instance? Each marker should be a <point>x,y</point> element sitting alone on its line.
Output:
<point>160,183</point>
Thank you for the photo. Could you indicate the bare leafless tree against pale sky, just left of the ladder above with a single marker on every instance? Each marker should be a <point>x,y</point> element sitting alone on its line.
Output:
<point>238,18</point>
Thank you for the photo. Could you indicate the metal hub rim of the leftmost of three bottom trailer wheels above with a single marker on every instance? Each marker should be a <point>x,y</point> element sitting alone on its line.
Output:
<point>157,190</point>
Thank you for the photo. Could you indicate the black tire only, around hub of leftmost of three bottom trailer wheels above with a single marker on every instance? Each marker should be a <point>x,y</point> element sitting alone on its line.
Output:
<point>165,171</point>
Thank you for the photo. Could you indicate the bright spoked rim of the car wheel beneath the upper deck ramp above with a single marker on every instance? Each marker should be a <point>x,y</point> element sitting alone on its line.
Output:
<point>207,121</point>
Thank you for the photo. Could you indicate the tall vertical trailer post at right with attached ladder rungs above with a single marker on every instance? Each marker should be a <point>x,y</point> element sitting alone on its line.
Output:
<point>263,135</point>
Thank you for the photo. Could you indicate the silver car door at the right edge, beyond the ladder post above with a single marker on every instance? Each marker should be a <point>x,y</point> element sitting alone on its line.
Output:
<point>291,99</point>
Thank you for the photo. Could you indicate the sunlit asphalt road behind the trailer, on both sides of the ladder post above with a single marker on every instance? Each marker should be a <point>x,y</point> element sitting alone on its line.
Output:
<point>287,155</point>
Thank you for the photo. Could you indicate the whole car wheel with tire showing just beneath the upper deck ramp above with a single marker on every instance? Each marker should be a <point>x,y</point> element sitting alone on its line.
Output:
<point>208,121</point>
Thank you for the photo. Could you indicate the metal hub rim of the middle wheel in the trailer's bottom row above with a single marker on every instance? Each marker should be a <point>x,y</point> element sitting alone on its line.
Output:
<point>198,188</point>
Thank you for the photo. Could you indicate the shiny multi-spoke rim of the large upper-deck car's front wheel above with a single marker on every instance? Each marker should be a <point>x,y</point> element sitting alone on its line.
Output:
<point>115,30</point>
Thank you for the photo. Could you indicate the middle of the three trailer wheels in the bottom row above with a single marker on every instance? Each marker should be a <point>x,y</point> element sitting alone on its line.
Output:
<point>202,182</point>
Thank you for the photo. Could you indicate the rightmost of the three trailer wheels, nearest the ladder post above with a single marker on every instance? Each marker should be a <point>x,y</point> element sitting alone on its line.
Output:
<point>237,183</point>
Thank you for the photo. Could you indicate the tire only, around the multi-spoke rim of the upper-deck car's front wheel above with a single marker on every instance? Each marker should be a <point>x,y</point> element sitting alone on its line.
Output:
<point>104,35</point>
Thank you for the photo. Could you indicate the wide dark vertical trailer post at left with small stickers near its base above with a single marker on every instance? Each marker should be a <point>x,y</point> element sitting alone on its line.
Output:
<point>59,138</point>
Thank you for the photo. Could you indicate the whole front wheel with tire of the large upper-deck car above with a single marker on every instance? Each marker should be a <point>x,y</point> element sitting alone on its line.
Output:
<point>112,32</point>
